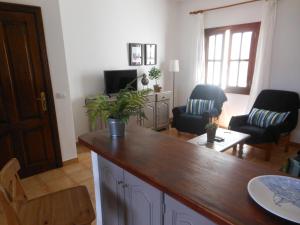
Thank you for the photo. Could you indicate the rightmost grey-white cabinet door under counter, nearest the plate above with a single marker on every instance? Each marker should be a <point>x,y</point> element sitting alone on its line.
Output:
<point>179,214</point>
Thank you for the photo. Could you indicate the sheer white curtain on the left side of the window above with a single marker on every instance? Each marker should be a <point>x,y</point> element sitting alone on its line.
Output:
<point>199,59</point>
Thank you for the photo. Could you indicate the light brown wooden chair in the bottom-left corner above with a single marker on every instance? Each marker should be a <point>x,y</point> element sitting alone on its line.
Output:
<point>72,206</point>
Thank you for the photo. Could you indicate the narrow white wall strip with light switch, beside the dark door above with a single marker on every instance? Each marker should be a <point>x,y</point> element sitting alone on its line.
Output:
<point>58,71</point>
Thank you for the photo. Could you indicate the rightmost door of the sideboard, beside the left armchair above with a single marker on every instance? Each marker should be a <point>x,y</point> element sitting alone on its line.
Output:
<point>162,116</point>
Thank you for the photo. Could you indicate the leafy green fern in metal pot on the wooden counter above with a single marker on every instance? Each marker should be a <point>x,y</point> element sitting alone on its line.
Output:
<point>117,111</point>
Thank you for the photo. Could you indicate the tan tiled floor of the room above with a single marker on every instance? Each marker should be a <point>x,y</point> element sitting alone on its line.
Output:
<point>80,173</point>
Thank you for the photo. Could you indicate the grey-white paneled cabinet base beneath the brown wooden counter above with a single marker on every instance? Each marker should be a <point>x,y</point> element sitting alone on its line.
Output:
<point>127,200</point>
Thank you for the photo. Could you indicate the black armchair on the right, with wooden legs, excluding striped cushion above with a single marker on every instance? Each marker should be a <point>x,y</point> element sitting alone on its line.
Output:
<point>272,100</point>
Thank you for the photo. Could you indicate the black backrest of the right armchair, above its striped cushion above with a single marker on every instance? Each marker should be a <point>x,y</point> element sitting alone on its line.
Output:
<point>280,101</point>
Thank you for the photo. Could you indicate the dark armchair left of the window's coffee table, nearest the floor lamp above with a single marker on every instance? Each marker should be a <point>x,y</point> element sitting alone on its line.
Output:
<point>195,124</point>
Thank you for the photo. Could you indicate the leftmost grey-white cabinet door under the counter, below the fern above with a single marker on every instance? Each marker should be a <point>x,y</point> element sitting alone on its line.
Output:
<point>112,193</point>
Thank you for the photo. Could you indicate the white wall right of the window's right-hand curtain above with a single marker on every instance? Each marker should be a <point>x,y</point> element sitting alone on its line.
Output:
<point>285,68</point>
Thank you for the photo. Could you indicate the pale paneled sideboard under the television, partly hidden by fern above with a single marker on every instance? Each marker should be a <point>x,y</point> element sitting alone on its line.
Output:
<point>157,111</point>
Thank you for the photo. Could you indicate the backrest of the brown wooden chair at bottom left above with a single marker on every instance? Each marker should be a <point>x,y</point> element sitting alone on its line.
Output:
<point>10,181</point>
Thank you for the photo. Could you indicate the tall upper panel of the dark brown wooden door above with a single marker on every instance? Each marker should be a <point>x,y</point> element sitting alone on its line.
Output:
<point>21,74</point>
